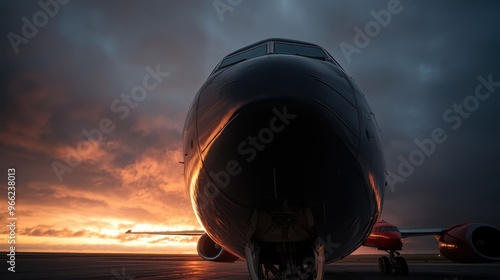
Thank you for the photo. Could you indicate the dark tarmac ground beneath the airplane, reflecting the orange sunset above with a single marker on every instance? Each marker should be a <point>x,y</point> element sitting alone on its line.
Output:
<point>151,266</point>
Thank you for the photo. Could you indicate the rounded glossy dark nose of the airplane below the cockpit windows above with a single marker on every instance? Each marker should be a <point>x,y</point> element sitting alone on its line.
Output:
<point>279,128</point>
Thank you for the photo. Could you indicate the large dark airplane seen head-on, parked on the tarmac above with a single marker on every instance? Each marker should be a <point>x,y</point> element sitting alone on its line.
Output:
<point>284,168</point>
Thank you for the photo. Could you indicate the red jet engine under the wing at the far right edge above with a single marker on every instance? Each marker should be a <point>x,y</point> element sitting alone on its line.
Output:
<point>471,243</point>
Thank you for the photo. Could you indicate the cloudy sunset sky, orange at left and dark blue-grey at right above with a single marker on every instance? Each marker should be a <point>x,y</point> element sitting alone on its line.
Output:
<point>94,95</point>
